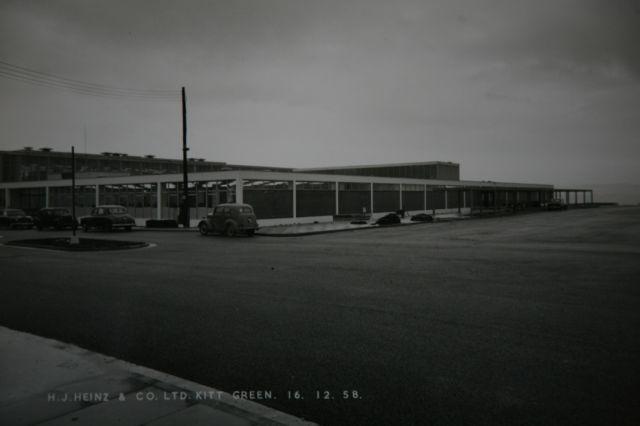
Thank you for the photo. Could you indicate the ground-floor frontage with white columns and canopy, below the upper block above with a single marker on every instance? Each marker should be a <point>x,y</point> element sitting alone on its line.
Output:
<point>271,193</point>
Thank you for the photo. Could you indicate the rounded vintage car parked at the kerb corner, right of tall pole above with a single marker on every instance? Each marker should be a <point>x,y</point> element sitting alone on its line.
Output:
<point>230,219</point>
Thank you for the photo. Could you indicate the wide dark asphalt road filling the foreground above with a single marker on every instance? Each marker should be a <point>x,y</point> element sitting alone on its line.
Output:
<point>529,319</point>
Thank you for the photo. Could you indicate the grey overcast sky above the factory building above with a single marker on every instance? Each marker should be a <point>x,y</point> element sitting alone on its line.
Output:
<point>543,91</point>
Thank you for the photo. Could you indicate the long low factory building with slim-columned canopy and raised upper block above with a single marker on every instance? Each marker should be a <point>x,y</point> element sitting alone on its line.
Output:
<point>284,195</point>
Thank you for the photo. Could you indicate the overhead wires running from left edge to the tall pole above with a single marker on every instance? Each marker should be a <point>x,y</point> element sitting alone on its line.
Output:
<point>26,75</point>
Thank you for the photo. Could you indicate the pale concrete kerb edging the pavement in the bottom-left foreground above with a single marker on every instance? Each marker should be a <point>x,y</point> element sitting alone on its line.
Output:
<point>223,402</point>
